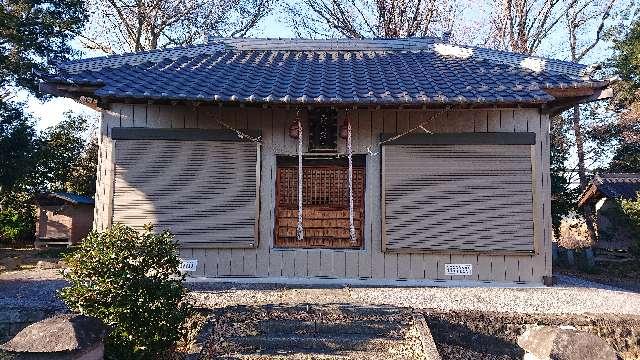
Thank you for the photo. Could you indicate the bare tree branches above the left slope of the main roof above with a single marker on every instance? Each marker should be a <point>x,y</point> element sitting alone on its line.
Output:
<point>135,25</point>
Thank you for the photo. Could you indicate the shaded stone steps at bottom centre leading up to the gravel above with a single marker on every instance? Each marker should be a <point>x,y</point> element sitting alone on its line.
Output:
<point>310,332</point>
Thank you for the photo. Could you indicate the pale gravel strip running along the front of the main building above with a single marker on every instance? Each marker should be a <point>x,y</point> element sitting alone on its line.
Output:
<point>37,288</point>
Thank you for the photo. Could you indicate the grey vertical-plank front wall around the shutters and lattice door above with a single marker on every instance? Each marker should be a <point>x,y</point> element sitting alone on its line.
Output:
<point>370,262</point>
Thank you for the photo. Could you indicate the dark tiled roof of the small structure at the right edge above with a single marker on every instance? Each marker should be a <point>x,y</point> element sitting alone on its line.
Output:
<point>617,186</point>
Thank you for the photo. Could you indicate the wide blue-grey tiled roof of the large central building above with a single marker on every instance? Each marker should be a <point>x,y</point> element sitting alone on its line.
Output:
<point>370,71</point>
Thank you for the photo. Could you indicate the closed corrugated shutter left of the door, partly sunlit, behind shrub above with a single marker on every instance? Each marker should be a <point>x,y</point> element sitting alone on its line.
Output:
<point>202,191</point>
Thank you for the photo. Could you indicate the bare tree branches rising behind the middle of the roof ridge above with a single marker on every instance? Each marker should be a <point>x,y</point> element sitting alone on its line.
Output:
<point>375,18</point>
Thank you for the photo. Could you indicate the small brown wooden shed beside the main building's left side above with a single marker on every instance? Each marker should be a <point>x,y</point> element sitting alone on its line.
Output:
<point>63,218</point>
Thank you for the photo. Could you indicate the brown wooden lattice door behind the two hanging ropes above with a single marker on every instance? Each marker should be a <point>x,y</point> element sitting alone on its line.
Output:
<point>325,204</point>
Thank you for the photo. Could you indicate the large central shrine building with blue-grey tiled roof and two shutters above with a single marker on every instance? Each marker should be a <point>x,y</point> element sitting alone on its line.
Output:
<point>338,160</point>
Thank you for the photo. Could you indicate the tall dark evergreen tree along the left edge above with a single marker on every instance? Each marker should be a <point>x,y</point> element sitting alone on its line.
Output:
<point>34,34</point>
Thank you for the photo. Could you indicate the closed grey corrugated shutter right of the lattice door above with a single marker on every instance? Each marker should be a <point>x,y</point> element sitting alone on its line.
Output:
<point>458,198</point>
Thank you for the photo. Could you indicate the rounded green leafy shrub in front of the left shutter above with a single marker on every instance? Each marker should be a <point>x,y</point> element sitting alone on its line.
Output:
<point>130,281</point>
